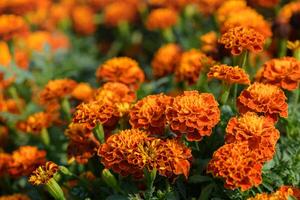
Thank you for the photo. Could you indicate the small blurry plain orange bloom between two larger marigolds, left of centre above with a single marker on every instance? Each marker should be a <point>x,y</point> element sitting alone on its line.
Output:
<point>83,92</point>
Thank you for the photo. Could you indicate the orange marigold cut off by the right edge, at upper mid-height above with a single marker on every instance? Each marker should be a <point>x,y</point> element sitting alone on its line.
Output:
<point>283,72</point>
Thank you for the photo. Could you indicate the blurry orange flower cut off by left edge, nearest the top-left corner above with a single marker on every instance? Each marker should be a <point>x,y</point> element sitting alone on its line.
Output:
<point>7,31</point>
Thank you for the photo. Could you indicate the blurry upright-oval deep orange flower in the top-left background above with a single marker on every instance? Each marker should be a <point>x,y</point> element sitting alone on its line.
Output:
<point>83,20</point>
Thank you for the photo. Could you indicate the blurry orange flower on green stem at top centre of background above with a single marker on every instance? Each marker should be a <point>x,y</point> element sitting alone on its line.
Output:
<point>161,18</point>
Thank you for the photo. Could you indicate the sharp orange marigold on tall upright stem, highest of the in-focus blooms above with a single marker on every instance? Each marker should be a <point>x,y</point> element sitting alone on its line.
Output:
<point>239,39</point>
